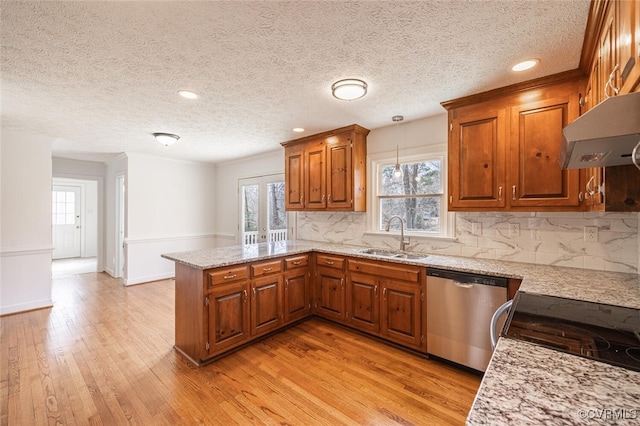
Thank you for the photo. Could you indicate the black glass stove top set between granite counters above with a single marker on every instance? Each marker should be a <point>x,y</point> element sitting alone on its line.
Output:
<point>598,331</point>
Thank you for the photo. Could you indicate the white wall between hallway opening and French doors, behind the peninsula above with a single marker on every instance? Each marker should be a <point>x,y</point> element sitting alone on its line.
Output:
<point>170,208</point>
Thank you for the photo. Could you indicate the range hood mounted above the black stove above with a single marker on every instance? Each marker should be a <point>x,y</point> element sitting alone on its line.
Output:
<point>607,135</point>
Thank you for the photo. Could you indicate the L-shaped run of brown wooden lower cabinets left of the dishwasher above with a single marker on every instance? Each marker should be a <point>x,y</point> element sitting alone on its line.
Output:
<point>223,308</point>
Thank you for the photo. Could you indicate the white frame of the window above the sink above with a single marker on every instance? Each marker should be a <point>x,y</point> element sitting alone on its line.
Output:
<point>408,156</point>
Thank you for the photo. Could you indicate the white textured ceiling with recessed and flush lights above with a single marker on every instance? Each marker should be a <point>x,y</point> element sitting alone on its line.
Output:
<point>99,77</point>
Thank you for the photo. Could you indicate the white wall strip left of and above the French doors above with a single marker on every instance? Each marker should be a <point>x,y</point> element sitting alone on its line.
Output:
<point>226,190</point>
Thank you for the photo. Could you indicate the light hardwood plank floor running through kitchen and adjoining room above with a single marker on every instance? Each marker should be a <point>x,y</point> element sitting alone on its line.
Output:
<point>103,355</point>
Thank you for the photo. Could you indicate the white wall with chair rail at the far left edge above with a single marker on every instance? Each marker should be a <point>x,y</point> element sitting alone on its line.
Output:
<point>25,224</point>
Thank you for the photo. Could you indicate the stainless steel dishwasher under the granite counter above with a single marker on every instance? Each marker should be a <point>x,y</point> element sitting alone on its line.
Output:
<point>459,310</point>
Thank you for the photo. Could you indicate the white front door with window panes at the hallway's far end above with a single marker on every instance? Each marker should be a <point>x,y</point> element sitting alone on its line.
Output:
<point>65,208</point>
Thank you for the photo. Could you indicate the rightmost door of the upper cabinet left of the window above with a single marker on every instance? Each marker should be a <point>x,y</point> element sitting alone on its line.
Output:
<point>339,175</point>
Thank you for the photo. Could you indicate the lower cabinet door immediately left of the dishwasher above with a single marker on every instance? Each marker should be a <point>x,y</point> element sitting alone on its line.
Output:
<point>402,313</point>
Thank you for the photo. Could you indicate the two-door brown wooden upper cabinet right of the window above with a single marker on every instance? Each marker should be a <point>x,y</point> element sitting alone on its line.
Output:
<point>504,147</point>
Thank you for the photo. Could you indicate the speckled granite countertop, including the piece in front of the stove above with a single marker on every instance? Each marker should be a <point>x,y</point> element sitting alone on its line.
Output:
<point>524,383</point>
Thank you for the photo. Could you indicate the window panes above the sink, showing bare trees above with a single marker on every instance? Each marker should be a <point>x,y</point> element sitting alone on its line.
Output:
<point>417,196</point>
